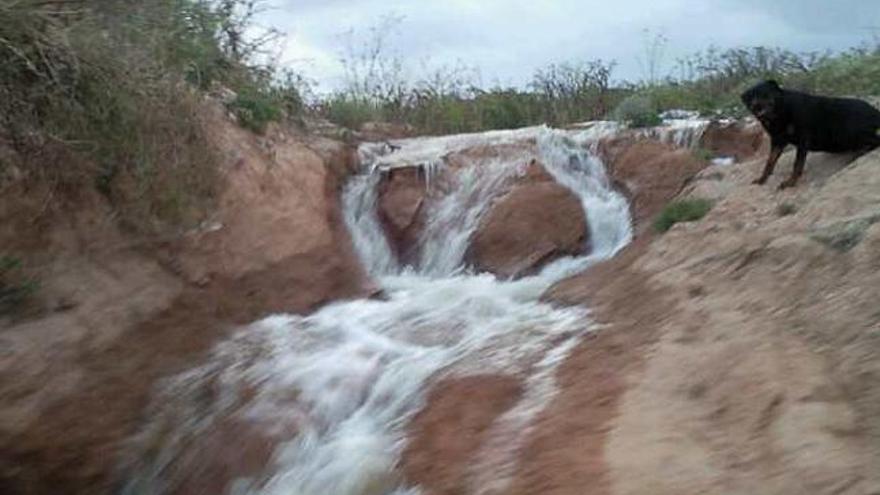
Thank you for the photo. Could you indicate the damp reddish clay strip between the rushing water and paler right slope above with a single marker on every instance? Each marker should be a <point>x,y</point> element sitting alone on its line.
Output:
<point>565,453</point>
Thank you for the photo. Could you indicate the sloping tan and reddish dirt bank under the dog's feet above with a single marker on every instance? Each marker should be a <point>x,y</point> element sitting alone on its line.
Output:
<point>737,353</point>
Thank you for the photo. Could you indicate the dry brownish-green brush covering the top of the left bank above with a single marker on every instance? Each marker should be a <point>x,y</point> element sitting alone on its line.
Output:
<point>110,92</point>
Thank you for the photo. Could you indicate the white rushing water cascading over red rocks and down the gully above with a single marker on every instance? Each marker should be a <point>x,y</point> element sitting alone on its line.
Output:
<point>347,378</point>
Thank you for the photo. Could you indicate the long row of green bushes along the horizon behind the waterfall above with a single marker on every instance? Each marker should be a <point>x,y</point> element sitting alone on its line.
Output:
<point>450,99</point>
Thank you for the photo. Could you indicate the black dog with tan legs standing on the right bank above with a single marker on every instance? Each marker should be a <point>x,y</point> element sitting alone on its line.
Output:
<point>812,123</point>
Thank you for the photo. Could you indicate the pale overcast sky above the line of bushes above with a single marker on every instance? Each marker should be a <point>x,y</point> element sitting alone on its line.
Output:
<point>508,39</point>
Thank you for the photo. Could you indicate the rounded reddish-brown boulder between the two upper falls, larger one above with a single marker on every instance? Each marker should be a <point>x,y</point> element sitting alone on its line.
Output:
<point>537,222</point>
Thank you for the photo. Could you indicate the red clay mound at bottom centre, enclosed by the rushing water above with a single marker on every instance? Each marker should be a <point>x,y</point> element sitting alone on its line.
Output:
<point>444,437</point>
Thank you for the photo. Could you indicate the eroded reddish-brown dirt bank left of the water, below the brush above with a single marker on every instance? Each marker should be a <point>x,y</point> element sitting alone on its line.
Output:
<point>125,313</point>
